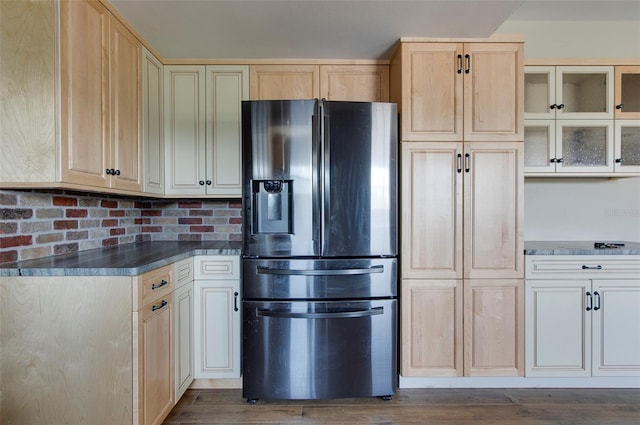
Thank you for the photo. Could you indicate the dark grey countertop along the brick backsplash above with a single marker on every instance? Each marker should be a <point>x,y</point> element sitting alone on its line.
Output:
<point>122,260</point>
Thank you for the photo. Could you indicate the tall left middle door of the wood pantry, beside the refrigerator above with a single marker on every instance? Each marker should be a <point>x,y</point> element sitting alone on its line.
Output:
<point>432,210</point>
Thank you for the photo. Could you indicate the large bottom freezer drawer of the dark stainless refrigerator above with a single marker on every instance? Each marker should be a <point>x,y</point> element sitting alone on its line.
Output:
<point>318,350</point>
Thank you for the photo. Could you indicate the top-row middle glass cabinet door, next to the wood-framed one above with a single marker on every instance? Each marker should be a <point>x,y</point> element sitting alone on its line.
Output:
<point>584,92</point>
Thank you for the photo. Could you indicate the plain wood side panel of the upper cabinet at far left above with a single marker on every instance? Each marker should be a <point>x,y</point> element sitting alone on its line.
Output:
<point>28,92</point>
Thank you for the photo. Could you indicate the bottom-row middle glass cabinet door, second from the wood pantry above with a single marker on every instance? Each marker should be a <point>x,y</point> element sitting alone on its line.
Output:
<point>584,146</point>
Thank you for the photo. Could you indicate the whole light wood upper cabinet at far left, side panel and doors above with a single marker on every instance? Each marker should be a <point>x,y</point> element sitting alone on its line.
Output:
<point>98,145</point>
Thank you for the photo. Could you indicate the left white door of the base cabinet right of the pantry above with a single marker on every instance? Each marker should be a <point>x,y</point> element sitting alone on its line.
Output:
<point>558,328</point>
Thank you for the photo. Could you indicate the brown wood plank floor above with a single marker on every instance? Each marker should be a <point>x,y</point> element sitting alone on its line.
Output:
<point>419,406</point>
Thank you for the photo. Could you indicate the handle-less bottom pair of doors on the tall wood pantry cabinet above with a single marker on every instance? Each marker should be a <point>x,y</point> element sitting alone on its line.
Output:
<point>455,327</point>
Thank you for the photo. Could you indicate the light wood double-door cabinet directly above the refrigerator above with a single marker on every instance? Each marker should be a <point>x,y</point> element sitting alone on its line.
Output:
<point>363,83</point>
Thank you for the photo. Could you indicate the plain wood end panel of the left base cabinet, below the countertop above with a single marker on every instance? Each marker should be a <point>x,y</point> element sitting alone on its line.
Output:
<point>66,349</point>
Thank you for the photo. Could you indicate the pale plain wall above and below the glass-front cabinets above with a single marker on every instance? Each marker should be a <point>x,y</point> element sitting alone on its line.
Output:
<point>580,208</point>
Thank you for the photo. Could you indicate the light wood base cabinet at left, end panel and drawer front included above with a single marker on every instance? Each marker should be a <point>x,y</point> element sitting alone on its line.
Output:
<point>87,349</point>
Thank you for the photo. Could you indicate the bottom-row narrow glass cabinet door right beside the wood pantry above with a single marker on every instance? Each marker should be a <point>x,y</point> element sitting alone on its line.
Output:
<point>539,146</point>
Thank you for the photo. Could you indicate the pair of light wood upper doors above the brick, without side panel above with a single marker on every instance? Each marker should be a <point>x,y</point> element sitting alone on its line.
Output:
<point>100,98</point>
